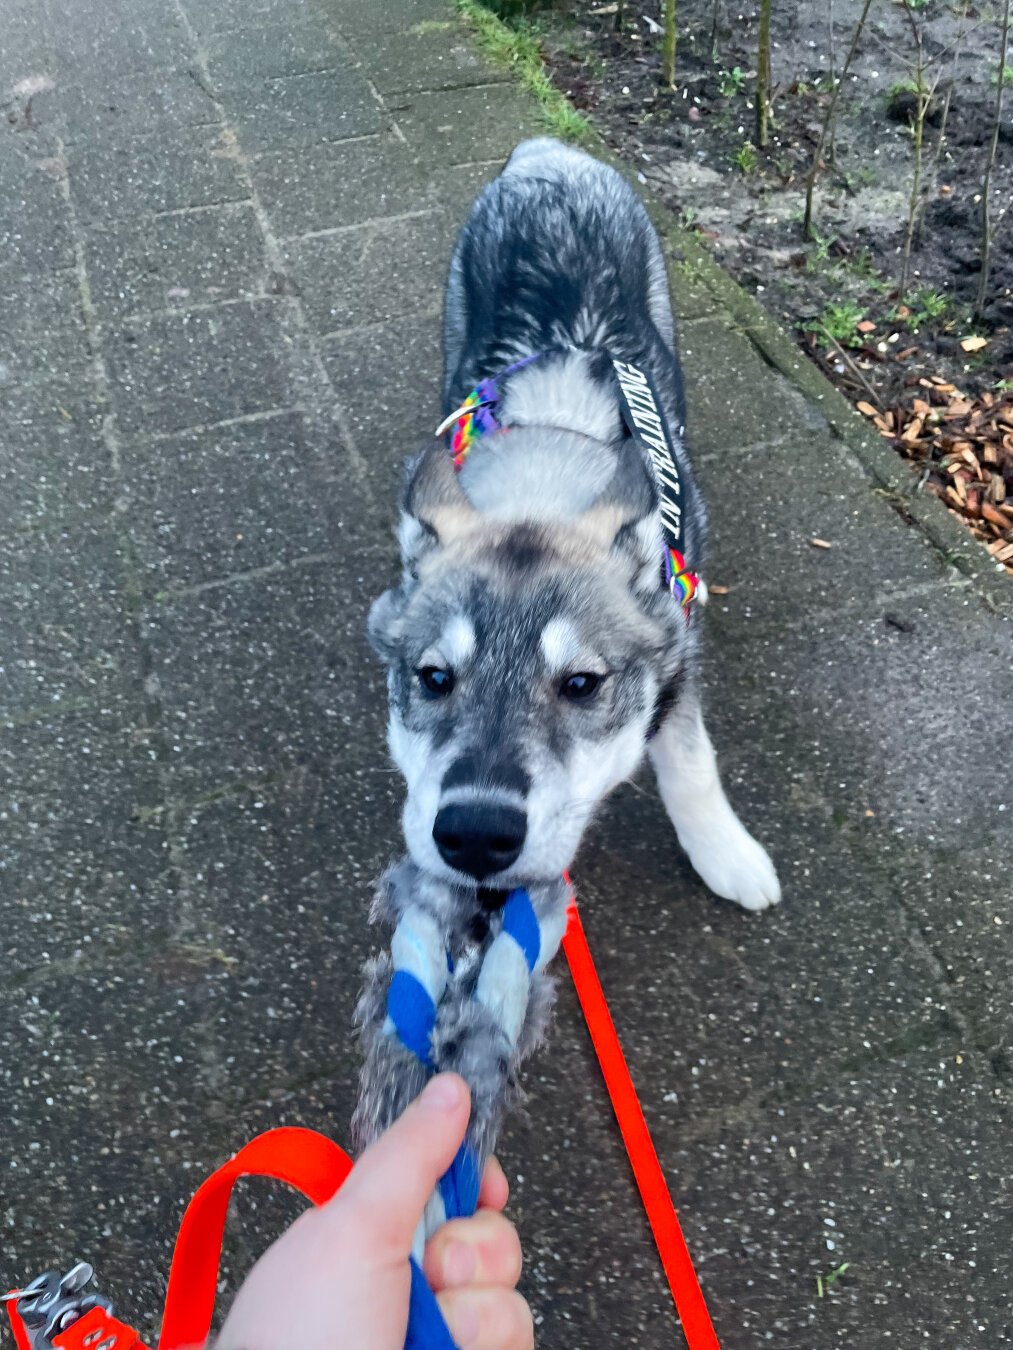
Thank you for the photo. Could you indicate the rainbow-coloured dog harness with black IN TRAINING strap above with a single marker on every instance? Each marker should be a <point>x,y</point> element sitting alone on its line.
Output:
<point>646,425</point>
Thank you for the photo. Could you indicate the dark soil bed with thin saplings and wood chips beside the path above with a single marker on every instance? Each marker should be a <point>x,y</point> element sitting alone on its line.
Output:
<point>839,294</point>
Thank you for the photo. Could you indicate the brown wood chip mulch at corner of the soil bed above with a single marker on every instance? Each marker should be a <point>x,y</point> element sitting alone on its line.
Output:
<point>966,452</point>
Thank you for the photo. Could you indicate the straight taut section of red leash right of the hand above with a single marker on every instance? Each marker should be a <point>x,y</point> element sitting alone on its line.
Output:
<point>648,1171</point>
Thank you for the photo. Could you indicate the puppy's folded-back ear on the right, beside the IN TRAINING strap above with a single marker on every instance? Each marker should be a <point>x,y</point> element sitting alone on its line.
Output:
<point>625,519</point>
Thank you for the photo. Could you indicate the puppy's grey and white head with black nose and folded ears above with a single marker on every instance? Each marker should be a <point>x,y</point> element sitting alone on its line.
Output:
<point>526,664</point>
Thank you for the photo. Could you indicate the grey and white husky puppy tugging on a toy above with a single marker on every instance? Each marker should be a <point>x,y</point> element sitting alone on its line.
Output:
<point>533,653</point>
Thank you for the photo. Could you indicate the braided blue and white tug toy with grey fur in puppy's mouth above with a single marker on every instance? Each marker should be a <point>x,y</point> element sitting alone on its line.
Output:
<point>463,989</point>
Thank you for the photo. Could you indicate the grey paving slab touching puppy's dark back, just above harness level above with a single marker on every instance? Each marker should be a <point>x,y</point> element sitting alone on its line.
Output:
<point>383,271</point>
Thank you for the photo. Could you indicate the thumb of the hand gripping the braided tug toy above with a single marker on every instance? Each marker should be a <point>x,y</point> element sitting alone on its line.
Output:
<point>394,1179</point>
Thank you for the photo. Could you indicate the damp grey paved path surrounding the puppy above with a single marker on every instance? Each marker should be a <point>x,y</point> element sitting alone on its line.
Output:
<point>224,233</point>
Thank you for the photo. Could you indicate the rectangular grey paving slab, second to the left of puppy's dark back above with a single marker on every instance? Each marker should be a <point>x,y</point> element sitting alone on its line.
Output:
<point>201,257</point>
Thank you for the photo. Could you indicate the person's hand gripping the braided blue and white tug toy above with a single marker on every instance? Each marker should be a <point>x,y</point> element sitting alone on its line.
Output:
<point>340,1276</point>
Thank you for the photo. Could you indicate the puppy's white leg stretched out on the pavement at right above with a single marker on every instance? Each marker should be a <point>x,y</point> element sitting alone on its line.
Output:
<point>719,847</point>
